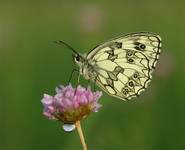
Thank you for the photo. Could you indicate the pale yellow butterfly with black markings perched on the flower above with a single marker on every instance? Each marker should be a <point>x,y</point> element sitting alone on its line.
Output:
<point>122,67</point>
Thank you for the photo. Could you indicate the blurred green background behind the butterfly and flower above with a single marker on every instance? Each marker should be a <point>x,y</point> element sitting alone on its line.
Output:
<point>31,64</point>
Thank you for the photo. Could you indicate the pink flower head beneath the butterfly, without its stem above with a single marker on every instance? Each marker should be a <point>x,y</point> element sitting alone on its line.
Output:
<point>70,104</point>
